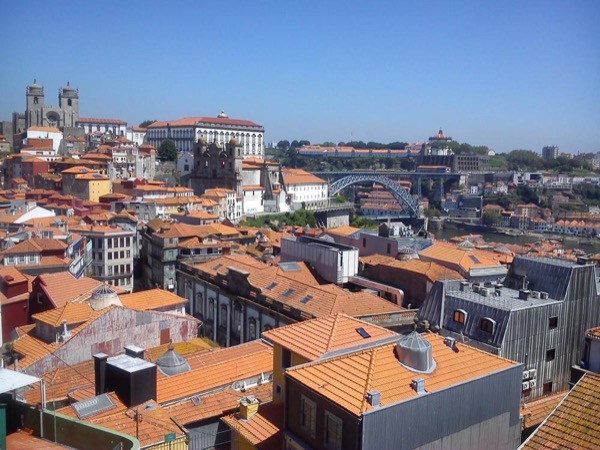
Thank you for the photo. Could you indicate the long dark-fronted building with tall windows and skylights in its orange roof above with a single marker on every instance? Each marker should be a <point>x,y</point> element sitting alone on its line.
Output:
<point>238,297</point>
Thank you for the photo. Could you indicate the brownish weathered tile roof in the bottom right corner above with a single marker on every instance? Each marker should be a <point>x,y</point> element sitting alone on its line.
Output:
<point>575,423</point>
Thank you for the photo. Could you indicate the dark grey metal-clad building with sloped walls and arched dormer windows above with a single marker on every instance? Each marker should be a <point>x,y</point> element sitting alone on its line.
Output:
<point>537,317</point>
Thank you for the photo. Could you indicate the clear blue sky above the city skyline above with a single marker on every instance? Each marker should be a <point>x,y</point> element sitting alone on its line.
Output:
<point>507,74</point>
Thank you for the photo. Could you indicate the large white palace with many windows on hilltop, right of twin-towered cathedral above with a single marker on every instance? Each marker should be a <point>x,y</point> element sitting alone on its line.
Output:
<point>219,130</point>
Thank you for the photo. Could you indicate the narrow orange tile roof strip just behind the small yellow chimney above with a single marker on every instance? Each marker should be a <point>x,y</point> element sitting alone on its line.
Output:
<point>217,404</point>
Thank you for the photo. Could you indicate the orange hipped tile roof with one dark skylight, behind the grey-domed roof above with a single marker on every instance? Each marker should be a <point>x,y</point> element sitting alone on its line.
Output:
<point>327,334</point>
